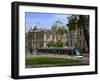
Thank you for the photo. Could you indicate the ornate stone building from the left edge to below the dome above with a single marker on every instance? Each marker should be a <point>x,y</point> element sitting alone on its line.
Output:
<point>37,38</point>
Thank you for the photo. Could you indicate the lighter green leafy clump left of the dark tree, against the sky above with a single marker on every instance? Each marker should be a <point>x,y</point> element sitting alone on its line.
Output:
<point>72,21</point>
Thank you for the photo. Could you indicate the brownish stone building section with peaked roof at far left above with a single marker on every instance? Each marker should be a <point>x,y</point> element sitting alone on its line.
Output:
<point>35,39</point>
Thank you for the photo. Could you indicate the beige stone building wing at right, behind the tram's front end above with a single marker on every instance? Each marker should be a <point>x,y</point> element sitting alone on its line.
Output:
<point>77,40</point>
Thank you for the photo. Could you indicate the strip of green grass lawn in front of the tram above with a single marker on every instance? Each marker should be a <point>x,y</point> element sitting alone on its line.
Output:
<point>49,60</point>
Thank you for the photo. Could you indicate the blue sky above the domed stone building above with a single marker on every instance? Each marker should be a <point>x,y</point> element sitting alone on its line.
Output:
<point>43,20</point>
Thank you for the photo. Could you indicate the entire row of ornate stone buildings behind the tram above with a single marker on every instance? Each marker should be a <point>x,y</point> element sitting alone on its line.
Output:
<point>39,38</point>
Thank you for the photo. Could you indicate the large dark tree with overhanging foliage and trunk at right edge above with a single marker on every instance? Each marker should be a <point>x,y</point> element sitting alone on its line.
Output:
<point>80,21</point>
